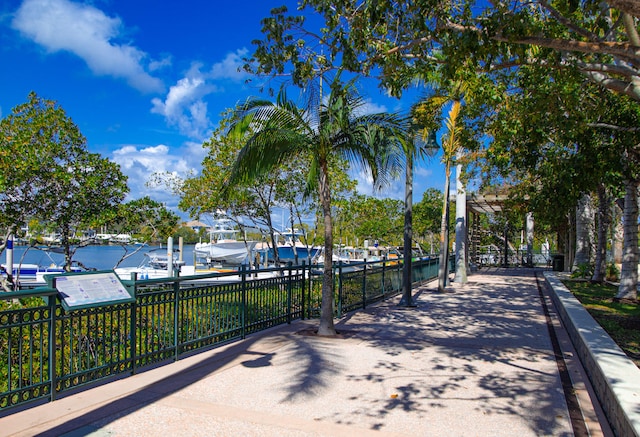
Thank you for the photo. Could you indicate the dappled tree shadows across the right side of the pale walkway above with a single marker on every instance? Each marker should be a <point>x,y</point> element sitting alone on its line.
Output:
<point>484,345</point>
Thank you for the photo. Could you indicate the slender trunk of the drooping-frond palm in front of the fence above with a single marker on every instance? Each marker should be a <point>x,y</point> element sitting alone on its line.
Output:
<point>326,311</point>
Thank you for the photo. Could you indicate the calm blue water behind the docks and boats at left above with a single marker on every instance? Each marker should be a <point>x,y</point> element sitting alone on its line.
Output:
<point>97,257</point>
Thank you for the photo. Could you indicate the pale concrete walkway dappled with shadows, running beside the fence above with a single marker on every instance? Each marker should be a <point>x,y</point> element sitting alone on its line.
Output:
<point>477,360</point>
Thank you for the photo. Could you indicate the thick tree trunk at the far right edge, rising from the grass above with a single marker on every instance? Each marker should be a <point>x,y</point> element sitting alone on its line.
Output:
<point>629,272</point>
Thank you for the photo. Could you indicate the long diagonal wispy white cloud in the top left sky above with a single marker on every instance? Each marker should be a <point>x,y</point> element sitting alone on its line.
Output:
<point>61,25</point>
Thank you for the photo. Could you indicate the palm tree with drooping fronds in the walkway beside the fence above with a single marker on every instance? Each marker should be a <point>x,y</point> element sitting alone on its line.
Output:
<point>319,131</point>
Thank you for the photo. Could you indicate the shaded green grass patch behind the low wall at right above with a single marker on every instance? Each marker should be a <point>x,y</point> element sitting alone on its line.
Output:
<point>621,320</point>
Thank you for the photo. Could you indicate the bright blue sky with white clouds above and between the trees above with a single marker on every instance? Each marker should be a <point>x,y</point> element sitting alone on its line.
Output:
<point>146,80</point>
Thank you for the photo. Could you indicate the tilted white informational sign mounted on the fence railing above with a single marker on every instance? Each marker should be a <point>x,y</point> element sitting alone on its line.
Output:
<point>91,289</point>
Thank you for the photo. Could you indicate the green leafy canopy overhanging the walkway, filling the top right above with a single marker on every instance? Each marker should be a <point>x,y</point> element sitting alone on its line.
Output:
<point>536,75</point>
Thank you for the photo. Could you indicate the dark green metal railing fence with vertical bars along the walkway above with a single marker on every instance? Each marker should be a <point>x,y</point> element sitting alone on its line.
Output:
<point>45,350</point>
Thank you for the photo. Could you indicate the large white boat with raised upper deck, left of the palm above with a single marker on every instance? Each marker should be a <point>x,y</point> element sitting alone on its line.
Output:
<point>224,247</point>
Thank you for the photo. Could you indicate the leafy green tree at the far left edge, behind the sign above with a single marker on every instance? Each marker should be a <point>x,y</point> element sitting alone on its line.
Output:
<point>66,184</point>
